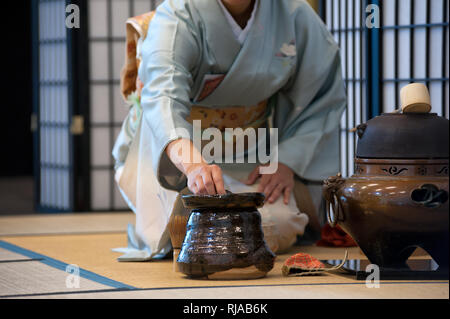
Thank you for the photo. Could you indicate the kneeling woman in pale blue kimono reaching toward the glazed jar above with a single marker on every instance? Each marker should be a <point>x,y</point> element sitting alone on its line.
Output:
<point>231,64</point>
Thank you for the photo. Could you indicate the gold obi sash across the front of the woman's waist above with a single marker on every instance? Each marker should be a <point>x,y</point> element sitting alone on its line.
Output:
<point>231,117</point>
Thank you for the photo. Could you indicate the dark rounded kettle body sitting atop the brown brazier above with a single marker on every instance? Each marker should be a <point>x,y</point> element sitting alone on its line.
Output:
<point>405,136</point>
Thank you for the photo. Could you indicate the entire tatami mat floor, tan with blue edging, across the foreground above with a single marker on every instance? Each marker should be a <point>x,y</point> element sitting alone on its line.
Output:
<point>86,241</point>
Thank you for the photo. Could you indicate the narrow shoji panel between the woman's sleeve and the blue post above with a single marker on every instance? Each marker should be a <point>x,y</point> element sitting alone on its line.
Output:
<point>345,19</point>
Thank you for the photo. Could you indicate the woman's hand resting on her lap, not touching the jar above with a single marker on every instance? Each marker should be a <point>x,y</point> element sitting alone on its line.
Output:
<point>274,185</point>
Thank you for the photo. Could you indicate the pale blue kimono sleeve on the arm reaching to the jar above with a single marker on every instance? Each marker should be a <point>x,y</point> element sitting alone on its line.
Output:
<point>169,57</point>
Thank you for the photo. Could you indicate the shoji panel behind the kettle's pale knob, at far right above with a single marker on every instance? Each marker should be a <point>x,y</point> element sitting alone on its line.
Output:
<point>415,49</point>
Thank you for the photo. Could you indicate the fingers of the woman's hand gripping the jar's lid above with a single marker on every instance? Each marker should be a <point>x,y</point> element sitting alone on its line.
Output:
<point>205,179</point>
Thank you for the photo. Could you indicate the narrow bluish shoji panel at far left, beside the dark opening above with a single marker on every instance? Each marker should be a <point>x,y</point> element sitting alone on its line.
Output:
<point>53,114</point>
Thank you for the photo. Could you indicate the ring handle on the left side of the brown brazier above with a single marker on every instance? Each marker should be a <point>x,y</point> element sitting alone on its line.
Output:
<point>333,206</point>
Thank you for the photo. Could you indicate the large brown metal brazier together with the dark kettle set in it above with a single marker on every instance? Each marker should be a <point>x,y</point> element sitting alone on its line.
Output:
<point>397,199</point>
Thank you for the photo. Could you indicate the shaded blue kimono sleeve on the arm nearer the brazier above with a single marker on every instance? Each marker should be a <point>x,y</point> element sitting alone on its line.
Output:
<point>310,107</point>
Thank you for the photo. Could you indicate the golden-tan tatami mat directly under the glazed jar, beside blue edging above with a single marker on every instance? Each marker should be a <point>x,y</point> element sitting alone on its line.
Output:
<point>93,253</point>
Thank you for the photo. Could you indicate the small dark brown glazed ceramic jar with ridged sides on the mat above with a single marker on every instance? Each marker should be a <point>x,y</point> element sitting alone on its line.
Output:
<point>224,233</point>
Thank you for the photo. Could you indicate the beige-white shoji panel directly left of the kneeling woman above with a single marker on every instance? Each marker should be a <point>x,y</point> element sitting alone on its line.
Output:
<point>107,48</point>
